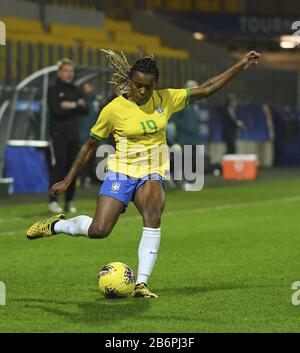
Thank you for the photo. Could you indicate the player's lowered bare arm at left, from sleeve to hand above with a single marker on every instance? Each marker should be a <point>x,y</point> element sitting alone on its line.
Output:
<point>83,156</point>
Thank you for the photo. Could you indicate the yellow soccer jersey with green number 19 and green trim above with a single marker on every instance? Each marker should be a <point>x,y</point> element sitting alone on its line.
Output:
<point>140,131</point>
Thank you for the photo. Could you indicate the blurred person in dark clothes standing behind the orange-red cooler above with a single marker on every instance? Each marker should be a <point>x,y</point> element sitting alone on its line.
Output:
<point>231,124</point>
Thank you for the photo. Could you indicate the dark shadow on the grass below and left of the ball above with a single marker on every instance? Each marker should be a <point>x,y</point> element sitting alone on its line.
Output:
<point>99,312</point>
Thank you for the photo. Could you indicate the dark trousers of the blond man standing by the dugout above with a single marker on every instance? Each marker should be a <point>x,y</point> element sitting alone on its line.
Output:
<point>65,148</point>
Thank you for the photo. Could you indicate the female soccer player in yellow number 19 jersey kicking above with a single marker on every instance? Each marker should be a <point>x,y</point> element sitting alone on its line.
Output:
<point>137,118</point>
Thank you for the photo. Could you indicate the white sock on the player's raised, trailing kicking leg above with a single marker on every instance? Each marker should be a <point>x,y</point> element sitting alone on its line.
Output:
<point>74,226</point>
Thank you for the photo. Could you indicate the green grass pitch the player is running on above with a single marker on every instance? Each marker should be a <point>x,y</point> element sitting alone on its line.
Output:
<point>228,258</point>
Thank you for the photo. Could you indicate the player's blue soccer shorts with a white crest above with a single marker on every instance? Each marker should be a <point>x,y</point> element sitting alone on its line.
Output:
<point>123,187</point>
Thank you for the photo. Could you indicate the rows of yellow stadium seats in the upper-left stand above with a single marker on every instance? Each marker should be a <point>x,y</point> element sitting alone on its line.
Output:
<point>28,39</point>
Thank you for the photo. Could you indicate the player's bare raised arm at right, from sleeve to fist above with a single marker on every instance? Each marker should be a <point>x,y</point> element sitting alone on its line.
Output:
<point>215,83</point>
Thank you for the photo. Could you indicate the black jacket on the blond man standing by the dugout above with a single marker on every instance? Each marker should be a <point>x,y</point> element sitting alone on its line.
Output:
<point>64,120</point>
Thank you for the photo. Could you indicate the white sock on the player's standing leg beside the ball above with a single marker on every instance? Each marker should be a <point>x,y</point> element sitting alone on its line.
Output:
<point>147,253</point>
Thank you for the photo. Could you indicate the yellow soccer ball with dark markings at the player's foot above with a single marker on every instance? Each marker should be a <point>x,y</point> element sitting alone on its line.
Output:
<point>116,280</point>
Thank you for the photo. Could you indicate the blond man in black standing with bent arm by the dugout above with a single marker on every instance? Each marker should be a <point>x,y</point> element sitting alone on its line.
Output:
<point>66,103</point>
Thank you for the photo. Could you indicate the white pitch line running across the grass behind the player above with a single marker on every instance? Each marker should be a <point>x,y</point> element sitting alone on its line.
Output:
<point>191,210</point>
